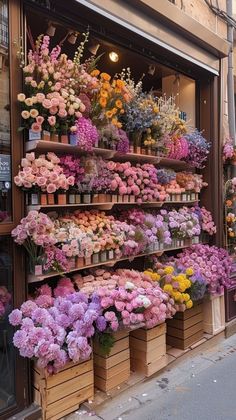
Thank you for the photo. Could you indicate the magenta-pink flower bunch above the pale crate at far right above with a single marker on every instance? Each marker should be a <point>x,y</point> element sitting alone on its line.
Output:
<point>214,264</point>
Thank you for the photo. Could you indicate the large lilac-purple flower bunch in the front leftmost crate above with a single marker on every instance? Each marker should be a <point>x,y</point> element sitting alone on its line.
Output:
<point>56,334</point>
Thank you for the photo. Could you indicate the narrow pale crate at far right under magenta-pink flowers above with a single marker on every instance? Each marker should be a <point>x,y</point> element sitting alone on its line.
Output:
<point>214,314</point>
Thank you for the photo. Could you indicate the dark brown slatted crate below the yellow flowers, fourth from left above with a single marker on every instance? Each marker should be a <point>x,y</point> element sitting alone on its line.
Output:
<point>186,328</point>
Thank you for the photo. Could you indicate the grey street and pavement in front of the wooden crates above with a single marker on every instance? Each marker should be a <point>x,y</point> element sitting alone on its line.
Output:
<point>199,388</point>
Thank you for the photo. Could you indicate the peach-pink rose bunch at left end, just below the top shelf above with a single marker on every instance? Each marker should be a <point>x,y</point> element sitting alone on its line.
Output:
<point>43,172</point>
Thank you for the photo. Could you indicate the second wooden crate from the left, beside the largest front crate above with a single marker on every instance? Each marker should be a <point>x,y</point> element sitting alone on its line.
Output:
<point>114,369</point>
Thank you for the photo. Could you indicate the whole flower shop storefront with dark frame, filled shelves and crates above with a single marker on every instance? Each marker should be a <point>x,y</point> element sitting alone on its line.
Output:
<point>109,198</point>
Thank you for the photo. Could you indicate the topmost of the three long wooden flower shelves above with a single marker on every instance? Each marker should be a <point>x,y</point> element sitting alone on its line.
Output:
<point>45,146</point>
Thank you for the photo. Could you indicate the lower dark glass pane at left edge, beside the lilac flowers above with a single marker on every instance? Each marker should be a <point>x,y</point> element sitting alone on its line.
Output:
<point>7,359</point>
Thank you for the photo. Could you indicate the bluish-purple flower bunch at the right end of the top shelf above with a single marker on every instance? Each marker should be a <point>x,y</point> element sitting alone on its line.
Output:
<point>199,149</point>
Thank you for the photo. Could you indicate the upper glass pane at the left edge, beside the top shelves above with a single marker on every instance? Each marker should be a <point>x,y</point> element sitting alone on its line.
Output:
<point>5,143</point>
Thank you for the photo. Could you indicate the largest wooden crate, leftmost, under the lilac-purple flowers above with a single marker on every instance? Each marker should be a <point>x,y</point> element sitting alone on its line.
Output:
<point>62,393</point>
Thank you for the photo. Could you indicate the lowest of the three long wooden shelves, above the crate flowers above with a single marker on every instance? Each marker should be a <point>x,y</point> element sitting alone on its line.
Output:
<point>34,279</point>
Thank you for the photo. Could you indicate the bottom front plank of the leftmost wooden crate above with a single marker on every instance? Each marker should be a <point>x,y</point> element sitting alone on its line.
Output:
<point>70,401</point>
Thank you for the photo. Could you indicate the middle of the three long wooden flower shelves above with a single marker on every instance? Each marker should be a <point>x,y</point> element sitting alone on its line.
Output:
<point>109,206</point>
